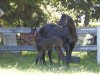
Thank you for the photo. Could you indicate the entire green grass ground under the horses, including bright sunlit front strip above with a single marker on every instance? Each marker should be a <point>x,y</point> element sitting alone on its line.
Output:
<point>24,65</point>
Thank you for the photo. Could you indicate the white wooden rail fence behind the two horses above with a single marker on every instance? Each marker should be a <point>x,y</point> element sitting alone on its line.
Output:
<point>7,38</point>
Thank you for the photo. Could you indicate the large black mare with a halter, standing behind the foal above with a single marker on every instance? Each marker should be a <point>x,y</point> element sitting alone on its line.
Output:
<point>64,29</point>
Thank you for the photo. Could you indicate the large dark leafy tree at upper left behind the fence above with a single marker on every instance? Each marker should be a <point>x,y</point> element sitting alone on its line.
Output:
<point>22,13</point>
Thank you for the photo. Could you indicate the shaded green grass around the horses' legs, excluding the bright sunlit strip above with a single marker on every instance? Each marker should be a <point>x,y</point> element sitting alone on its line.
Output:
<point>27,60</point>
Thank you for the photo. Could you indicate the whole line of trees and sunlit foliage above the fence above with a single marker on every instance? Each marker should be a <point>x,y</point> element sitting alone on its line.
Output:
<point>30,13</point>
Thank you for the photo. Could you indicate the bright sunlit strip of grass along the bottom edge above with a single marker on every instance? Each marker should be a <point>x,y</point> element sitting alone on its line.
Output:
<point>37,72</point>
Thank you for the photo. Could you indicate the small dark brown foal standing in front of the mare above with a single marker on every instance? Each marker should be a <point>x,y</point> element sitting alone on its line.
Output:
<point>48,44</point>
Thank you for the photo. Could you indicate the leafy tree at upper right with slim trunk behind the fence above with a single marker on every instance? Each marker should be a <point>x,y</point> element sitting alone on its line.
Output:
<point>82,7</point>
